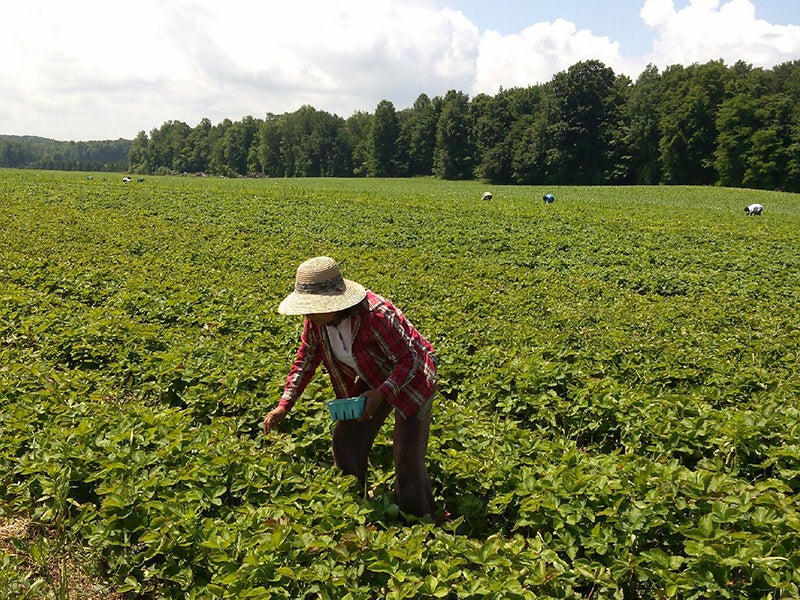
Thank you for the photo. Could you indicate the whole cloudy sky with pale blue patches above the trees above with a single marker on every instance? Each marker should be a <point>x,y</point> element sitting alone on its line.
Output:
<point>105,69</point>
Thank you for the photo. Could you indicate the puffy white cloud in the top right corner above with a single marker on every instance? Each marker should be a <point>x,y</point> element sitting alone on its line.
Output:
<point>705,30</point>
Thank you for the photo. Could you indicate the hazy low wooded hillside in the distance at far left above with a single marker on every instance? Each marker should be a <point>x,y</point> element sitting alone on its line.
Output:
<point>32,152</point>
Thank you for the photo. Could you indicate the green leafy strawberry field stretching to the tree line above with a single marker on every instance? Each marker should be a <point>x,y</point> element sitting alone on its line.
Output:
<point>618,412</point>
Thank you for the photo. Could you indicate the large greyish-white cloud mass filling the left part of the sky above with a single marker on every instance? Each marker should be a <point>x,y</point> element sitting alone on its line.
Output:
<point>93,66</point>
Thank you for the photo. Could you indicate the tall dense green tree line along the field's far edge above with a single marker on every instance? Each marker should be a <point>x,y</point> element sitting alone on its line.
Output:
<point>705,124</point>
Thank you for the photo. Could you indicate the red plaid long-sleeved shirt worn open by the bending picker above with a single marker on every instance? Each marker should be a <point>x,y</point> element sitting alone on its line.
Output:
<point>391,356</point>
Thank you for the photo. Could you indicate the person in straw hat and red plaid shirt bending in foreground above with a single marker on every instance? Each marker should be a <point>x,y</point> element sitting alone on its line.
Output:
<point>369,349</point>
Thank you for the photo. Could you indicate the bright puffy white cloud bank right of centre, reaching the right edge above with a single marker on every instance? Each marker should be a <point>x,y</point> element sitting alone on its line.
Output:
<point>704,30</point>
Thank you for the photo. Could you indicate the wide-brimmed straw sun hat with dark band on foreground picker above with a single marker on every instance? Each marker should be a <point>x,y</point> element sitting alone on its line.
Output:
<point>320,288</point>
